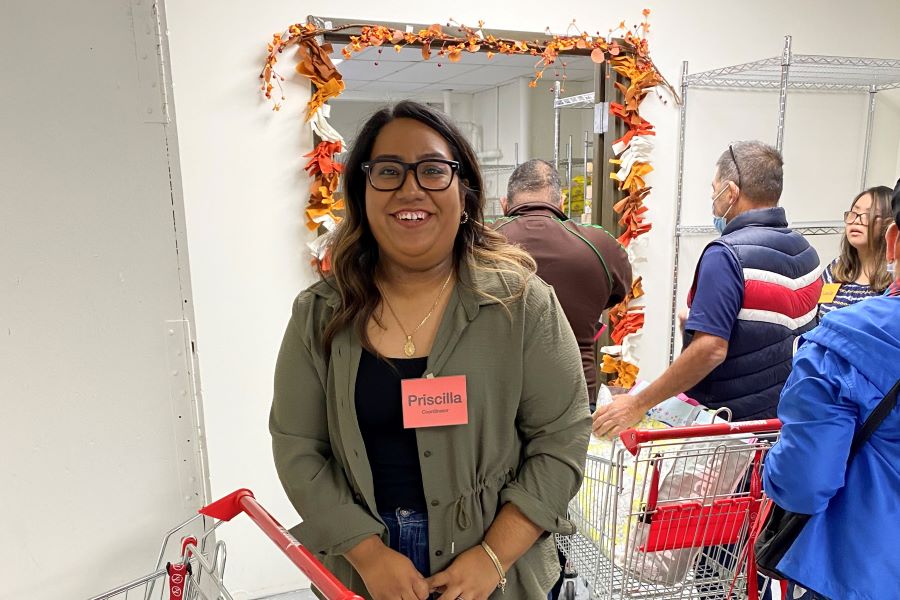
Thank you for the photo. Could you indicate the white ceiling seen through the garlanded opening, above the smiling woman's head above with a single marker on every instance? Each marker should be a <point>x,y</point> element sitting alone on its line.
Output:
<point>384,73</point>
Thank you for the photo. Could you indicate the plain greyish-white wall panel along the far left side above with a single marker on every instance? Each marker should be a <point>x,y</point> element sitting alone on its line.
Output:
<point>97,451</point>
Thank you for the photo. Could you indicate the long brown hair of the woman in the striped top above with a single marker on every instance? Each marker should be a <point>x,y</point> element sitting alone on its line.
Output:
<point>849,267</point>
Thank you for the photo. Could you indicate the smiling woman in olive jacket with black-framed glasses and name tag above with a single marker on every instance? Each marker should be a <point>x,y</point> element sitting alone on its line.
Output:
<point>430,418</point>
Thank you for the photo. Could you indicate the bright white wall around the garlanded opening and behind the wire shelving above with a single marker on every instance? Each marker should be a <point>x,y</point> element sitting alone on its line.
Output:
<point>245,190</point>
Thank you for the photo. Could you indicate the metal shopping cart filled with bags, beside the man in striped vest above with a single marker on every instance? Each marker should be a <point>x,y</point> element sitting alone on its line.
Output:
<point>670,513</point>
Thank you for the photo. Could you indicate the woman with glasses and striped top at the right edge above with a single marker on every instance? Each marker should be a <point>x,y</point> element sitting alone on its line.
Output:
<point>860,271</point>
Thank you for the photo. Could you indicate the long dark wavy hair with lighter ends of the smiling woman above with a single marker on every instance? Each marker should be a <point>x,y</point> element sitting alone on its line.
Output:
<point>354,251</point>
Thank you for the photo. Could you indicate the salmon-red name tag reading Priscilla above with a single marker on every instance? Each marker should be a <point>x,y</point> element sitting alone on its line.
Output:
<point>434,402</point>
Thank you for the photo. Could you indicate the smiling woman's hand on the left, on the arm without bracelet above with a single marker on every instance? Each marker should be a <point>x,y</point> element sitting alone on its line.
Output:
<point>388,575</point>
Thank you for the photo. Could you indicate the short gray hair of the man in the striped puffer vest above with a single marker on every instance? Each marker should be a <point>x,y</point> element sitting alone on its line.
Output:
<point>759,170</point>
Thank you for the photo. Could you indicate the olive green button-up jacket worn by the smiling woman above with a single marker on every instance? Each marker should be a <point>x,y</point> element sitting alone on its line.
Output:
<point>525,442</point>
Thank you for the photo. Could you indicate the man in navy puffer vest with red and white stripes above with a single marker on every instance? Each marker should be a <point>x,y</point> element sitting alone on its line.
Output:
<point>754,291</point>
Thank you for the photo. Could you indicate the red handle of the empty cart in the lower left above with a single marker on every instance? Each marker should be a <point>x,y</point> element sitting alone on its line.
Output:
<point>242,500</point>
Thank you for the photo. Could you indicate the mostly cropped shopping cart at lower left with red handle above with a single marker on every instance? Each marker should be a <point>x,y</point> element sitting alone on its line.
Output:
<point>199,570</point>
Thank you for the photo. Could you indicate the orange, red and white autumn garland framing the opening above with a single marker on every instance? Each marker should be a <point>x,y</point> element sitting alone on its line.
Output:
<point>630,59</point>
